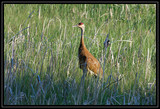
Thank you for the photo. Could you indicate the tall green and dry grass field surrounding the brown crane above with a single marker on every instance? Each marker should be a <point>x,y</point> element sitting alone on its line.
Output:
<point>41,54</point>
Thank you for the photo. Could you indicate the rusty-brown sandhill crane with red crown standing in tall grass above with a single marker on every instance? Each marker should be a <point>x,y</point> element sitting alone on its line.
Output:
<point>87,62</point>
